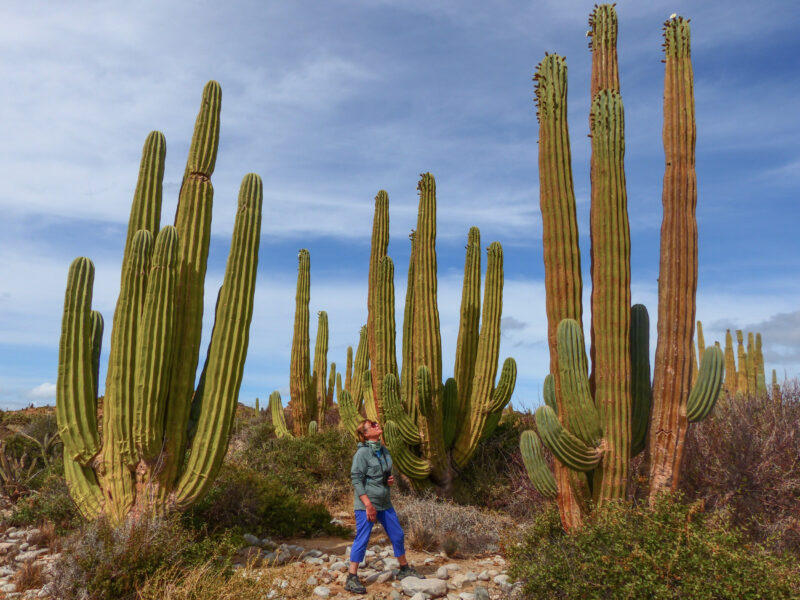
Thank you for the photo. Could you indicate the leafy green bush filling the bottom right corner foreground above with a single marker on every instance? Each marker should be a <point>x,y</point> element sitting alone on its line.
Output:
<point>671,551</point>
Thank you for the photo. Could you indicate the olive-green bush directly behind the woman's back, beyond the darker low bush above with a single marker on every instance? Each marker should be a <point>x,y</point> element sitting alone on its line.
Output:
<point>316,466</point>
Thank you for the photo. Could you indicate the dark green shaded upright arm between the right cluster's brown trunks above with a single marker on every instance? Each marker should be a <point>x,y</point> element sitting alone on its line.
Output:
<point>641,392</point>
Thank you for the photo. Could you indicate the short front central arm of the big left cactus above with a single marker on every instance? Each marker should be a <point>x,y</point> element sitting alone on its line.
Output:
<point>154,347</point>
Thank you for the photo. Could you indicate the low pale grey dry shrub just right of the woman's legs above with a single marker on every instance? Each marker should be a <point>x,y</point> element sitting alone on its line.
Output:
<point>427,519</point>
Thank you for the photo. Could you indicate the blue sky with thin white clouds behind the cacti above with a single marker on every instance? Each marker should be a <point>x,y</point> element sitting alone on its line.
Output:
<point>330,102</point>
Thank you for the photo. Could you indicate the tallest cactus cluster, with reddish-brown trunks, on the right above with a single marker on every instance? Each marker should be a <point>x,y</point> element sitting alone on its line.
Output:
<point>593,422</point>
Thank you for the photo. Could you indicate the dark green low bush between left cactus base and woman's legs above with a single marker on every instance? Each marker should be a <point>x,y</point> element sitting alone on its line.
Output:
<point>251,502</point>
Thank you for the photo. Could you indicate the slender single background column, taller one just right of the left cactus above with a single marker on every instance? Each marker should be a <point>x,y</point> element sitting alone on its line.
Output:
<point>300,371</point>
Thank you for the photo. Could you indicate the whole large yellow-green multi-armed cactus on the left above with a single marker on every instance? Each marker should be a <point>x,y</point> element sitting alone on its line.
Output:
<point>152,413</point>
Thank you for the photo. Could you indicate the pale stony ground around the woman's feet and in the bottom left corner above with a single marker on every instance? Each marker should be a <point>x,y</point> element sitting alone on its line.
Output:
<point>314,568</point>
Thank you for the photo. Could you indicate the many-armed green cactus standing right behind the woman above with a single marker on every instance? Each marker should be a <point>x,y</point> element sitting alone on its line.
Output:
<point>433,428</point>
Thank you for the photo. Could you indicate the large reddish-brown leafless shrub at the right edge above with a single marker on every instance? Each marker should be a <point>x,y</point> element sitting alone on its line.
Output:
<point>745,459</point>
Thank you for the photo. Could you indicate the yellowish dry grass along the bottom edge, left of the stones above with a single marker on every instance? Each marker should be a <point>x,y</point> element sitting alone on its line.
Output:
<point>204,582</point>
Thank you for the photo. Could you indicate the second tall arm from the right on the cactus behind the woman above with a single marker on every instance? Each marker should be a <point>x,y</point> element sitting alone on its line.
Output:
<point>469,326</point>
